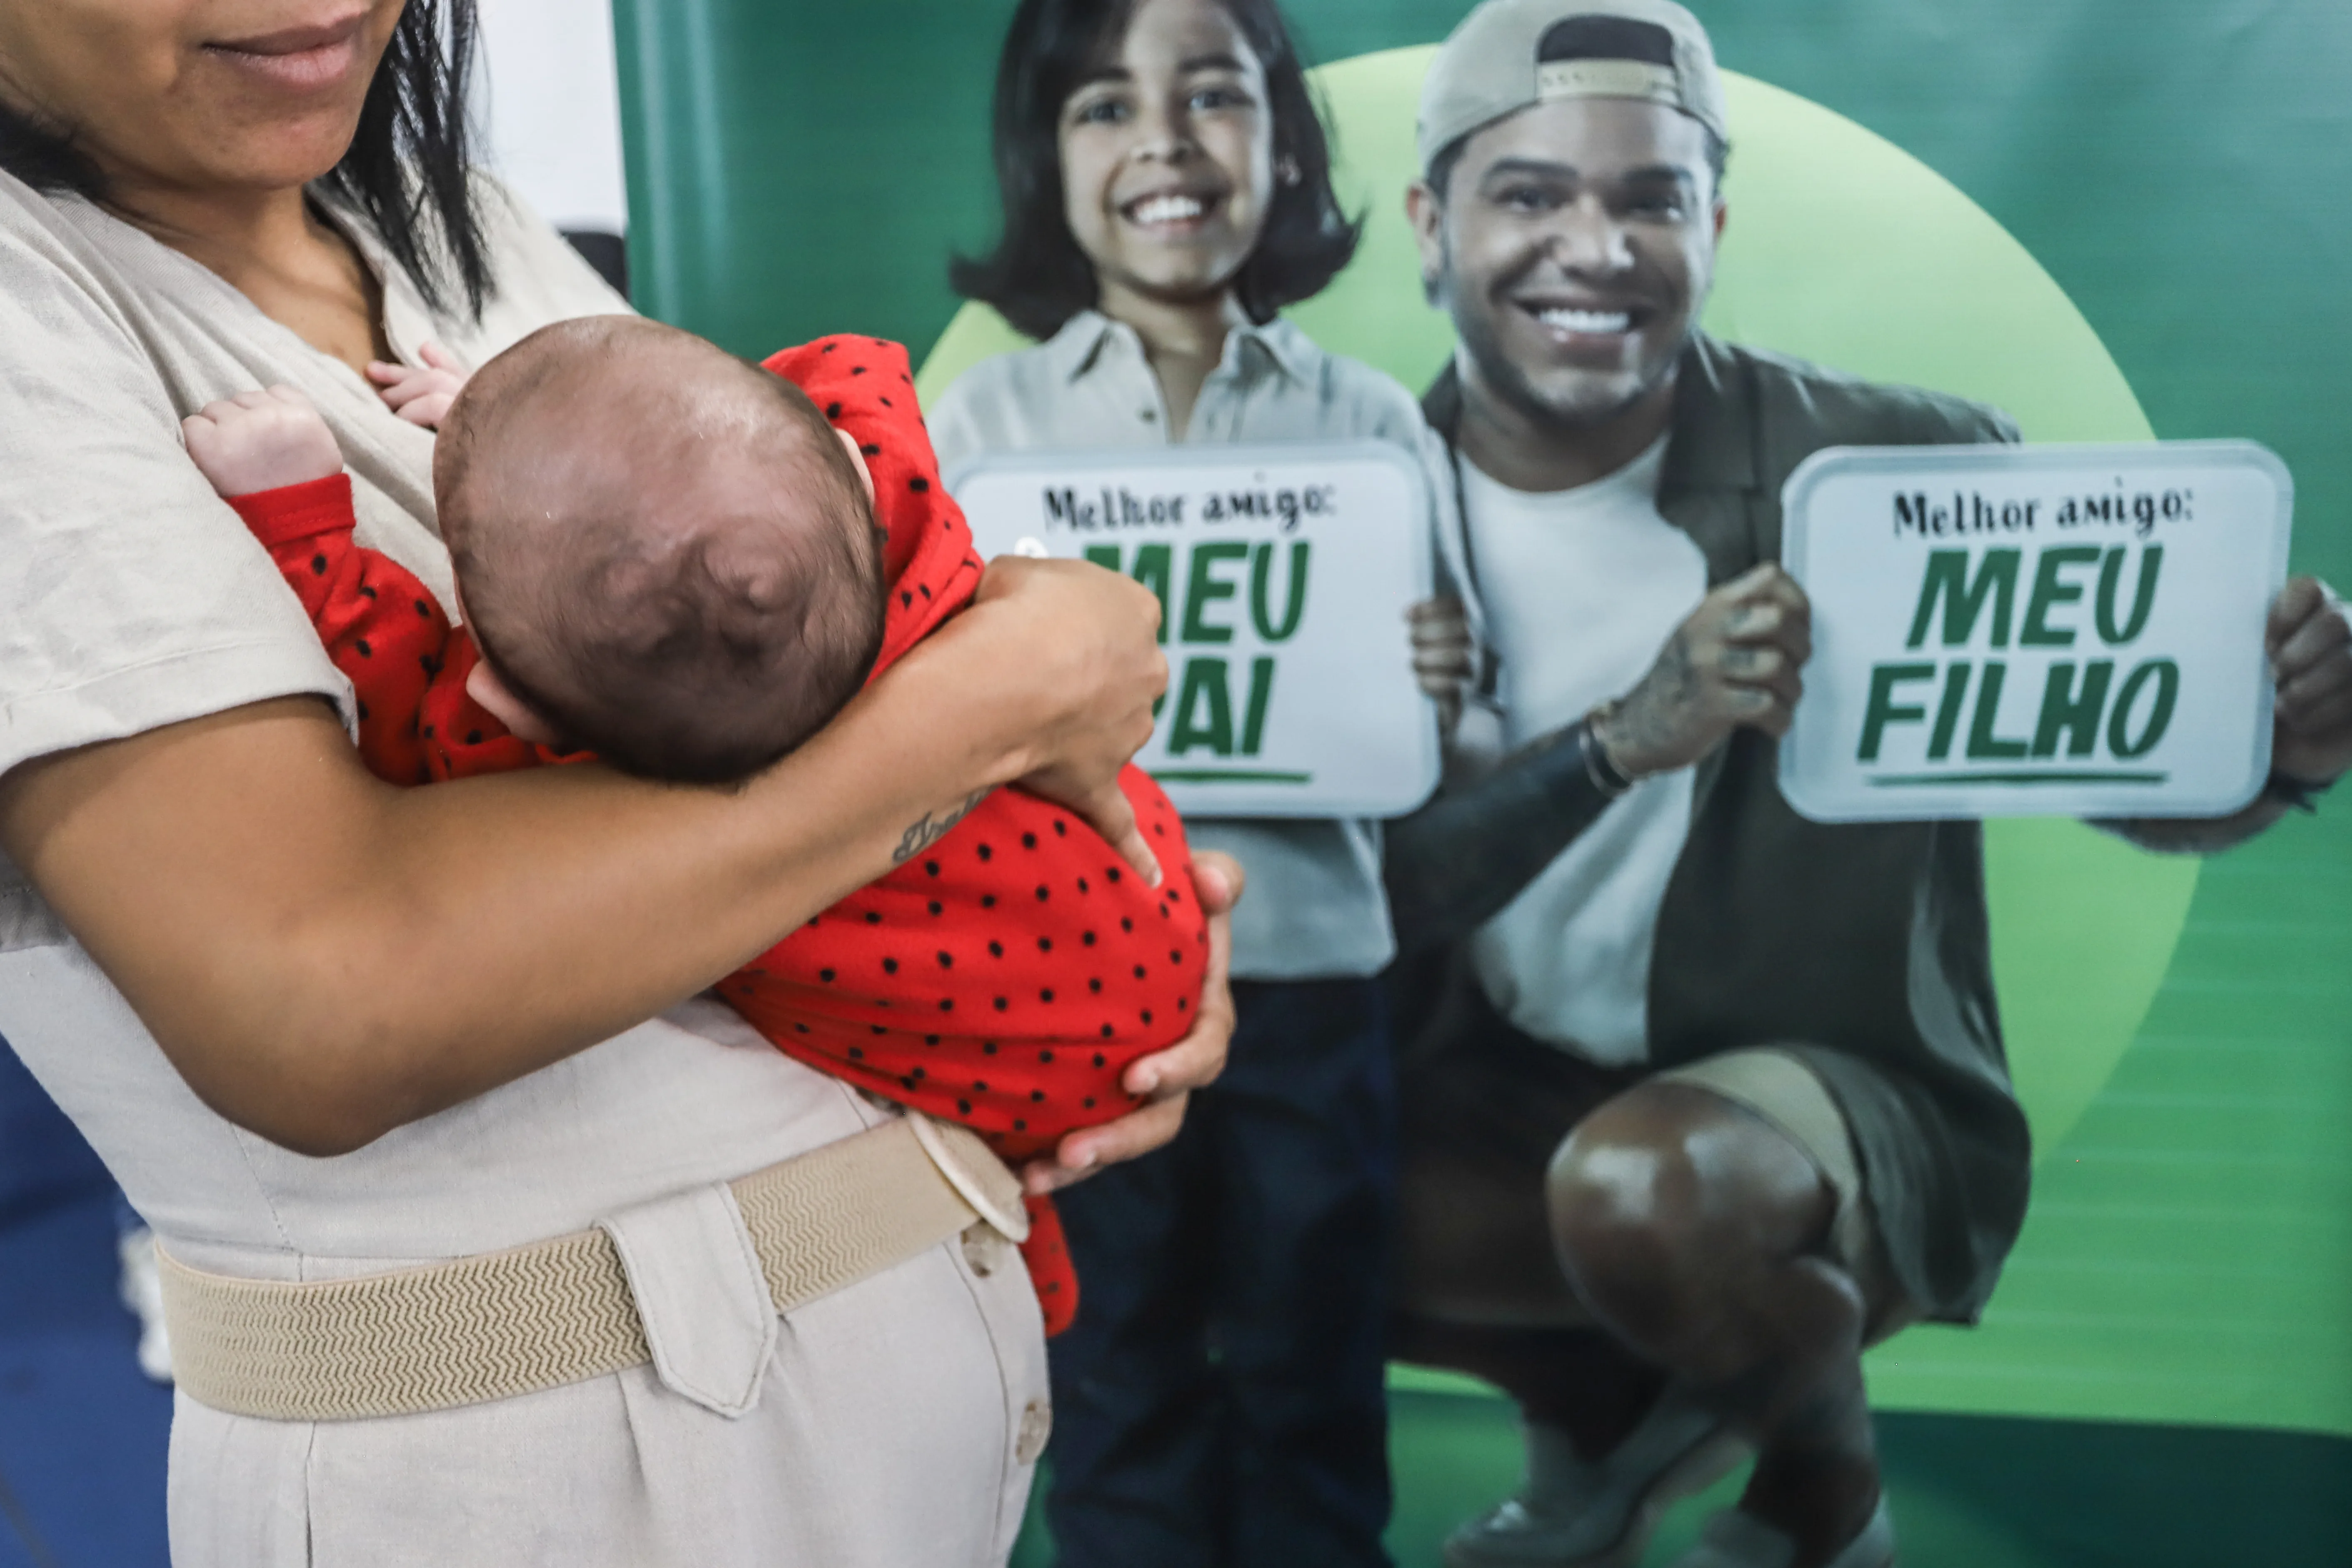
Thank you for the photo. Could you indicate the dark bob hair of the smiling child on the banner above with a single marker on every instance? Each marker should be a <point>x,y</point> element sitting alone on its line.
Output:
<point>1038,279</point>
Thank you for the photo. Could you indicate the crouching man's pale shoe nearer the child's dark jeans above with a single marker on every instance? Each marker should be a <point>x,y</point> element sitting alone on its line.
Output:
<point>1598,1515</point>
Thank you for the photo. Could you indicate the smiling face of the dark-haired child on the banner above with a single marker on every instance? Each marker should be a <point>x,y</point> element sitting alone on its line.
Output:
<point>1168,154</point>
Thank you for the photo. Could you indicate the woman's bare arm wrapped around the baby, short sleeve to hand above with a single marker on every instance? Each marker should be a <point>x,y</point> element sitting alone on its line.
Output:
<point>326,958</point>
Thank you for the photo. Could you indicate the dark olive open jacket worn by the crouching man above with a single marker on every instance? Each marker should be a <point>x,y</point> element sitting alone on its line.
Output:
<point>1859,946</point>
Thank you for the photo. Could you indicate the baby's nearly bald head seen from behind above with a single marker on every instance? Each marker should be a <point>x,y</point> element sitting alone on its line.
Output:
<point>667,556</point>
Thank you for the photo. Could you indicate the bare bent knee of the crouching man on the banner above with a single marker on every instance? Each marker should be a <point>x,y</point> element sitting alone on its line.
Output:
<point>1669,1205</point>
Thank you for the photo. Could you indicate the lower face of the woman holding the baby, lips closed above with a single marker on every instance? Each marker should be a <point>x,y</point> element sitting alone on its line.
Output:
<point>199,95</point>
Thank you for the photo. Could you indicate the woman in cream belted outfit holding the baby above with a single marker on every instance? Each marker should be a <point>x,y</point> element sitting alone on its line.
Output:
<point>323,1028</point>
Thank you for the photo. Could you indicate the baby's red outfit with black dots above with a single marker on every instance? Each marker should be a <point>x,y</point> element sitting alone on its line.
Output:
<point>1003,977</point>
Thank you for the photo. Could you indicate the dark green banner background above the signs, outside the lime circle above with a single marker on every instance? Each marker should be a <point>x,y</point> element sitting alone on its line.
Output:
<point>2179,166</point>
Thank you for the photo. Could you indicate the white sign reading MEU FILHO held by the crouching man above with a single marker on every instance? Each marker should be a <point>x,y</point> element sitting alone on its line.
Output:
<point>2036,631</point>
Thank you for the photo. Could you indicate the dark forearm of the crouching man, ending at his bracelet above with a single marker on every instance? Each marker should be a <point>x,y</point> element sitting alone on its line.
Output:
<point>1469,852</point>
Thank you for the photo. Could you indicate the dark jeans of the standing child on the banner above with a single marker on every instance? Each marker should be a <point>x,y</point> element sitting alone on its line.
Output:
<point>1222,1393</point>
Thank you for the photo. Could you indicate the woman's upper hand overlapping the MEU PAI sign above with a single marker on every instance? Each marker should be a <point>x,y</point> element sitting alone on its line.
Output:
<point>1088,648</point>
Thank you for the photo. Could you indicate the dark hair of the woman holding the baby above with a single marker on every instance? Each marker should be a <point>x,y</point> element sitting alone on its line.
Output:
<point>406,168</point>
